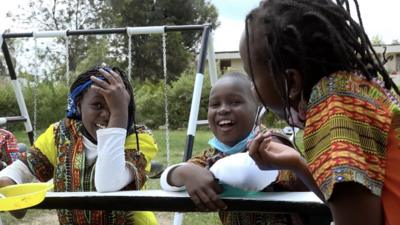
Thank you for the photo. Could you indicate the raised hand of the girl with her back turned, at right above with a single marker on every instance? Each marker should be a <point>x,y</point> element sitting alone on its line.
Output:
<point>273,155</point>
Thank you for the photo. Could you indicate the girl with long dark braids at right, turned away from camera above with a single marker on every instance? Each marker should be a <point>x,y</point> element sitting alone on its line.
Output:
<point>314,66</point>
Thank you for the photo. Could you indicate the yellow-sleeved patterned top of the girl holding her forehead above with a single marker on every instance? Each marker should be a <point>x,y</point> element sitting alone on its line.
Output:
<point>59,154</point>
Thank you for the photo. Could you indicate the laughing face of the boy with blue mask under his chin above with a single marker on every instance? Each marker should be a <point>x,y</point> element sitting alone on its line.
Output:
<point>231,110</point>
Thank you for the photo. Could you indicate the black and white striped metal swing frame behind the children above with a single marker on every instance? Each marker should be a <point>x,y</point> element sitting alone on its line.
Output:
<point>206,50</point>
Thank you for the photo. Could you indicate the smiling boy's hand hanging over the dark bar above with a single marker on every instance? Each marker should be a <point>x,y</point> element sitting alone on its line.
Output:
<point>202,187</point>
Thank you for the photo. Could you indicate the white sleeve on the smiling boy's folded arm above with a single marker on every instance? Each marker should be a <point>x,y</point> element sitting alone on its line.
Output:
<point>240,171</point>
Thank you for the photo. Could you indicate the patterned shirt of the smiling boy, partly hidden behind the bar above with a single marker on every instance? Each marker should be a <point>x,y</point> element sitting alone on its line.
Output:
<point>286,181</point>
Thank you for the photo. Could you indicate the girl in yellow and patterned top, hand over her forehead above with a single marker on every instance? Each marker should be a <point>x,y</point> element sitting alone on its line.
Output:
<point>97,147</point>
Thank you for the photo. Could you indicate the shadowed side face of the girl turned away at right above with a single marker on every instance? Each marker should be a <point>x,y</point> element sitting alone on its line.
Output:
<point>264,85</point>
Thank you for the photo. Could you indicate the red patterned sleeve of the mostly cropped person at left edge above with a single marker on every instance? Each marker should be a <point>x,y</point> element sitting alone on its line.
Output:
<point>8,147</point>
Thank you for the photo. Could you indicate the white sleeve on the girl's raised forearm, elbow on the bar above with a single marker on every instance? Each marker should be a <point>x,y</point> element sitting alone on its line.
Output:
<point>112,173</point>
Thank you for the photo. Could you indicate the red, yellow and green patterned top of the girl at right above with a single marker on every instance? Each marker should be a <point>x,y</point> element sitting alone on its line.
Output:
<point>351,131</point>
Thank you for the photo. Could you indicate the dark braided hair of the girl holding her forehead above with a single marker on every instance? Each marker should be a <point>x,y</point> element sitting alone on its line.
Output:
<point>85,76</point>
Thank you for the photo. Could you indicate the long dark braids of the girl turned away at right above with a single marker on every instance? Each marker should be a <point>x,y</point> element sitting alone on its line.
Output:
<point>315,37</point>
